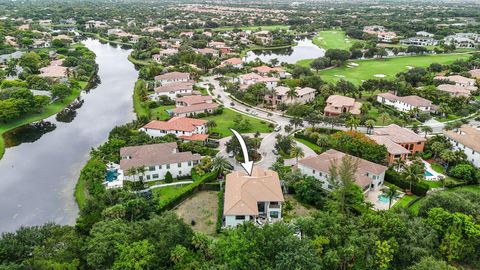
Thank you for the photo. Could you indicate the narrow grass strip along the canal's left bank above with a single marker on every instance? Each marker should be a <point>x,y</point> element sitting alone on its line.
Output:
<point>49,110</point>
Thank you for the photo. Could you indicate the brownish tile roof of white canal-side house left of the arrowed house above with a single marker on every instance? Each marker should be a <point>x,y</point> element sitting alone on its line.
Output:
<point>154,154</point>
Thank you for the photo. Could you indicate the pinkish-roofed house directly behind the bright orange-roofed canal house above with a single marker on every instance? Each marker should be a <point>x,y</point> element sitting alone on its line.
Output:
<point>193,105</point>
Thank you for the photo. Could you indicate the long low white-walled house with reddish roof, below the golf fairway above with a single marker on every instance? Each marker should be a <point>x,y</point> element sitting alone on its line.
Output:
<point>406,103</point>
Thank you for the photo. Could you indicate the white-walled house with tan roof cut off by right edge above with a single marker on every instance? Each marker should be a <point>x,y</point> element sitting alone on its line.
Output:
<point>466,139</point>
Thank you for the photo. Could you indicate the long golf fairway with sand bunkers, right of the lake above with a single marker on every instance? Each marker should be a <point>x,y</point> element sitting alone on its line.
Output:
<point>388,67</point>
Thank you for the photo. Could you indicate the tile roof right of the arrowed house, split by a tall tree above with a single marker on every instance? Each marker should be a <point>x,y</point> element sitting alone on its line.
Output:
<point>324,161</point>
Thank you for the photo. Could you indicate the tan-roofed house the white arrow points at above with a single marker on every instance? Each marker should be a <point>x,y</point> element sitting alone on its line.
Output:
<point>257,198</point>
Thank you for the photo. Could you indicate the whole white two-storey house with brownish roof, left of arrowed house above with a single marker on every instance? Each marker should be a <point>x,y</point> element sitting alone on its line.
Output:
<point>157,159</point>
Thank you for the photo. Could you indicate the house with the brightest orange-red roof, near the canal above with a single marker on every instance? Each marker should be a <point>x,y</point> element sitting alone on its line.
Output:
<point>182,127</point>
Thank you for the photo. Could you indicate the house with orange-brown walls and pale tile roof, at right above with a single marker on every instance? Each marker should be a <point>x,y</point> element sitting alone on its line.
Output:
<point>403,137</point>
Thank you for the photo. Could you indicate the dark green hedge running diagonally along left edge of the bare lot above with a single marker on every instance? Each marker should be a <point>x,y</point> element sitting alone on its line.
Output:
<point>186,191</point>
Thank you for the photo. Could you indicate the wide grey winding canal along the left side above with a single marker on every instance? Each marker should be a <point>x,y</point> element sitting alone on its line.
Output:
<point>38,175</point>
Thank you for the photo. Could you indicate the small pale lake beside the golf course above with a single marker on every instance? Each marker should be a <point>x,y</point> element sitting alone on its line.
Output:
<point>304,49</point>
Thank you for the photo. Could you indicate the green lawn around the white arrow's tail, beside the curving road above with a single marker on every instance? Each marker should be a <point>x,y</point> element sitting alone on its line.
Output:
<point>224,122</point>
